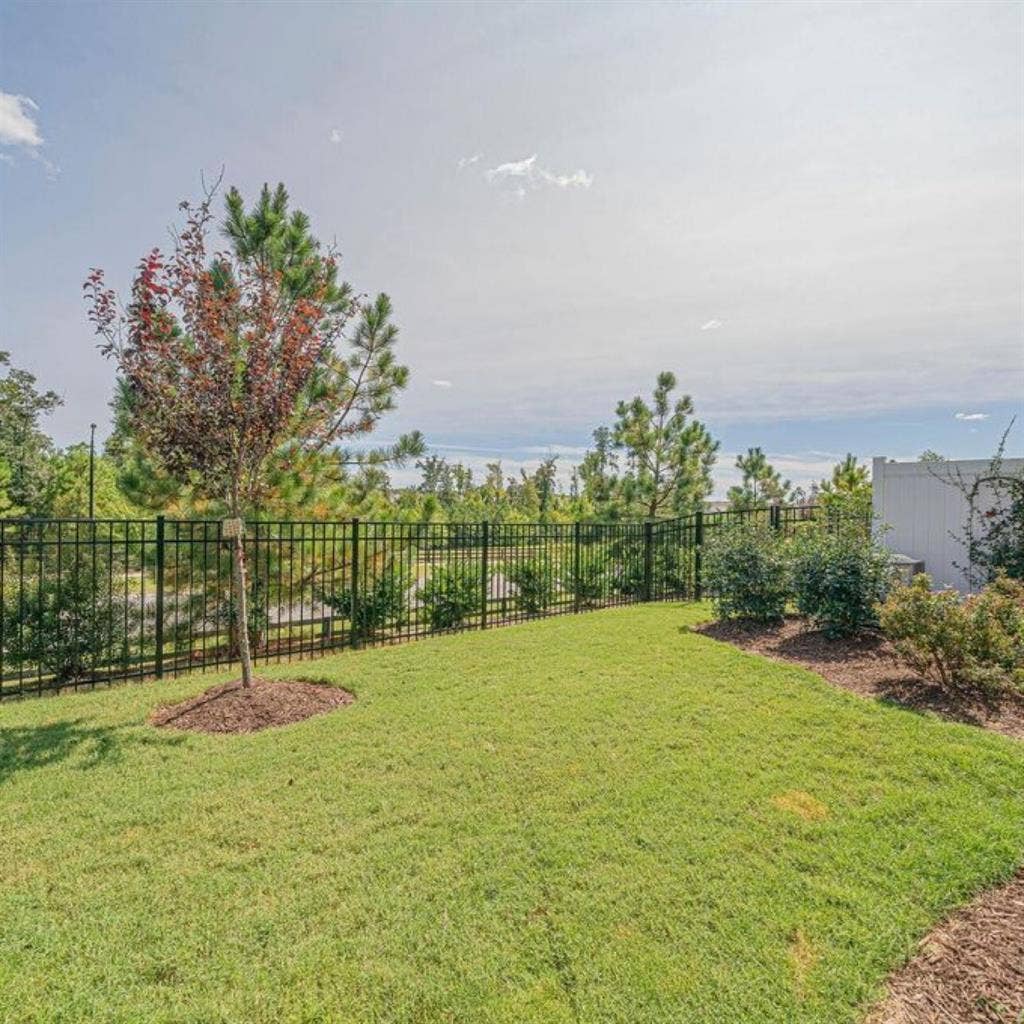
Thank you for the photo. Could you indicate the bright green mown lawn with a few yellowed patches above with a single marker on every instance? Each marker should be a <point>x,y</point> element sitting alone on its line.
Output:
<point>600,818</point>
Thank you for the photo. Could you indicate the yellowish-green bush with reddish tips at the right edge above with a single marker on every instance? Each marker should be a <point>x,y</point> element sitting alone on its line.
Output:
<point>977,643</point>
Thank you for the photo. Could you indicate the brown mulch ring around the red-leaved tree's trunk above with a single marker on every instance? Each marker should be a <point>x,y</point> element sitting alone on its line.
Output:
<point>230,708</point>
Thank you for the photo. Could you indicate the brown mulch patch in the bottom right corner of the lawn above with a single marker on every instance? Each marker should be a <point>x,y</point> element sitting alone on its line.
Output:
<point>969,970</point>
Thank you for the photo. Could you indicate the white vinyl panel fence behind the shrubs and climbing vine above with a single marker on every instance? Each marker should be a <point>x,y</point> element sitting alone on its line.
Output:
<point>926,515</point>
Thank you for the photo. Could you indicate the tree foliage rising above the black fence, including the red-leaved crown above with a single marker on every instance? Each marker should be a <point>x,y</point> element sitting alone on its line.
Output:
<point>250,379</point>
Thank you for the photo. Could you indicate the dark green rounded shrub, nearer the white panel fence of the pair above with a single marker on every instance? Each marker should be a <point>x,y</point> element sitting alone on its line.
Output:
<point>839,578</point>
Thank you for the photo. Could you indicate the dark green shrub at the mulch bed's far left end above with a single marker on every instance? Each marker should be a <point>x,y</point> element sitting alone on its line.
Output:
<point>746,569</point>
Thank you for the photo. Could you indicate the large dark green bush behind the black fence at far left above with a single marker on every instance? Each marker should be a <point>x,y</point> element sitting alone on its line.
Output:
<point>70,621</point>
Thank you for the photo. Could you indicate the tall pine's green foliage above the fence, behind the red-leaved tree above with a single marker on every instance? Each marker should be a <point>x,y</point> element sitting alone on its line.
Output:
<point>362,382</point>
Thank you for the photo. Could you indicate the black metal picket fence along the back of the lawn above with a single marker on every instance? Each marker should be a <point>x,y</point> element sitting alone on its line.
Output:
<point>87,602</point>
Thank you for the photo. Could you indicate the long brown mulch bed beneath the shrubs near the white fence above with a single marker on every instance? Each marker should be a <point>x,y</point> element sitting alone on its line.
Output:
<point>869,667</point>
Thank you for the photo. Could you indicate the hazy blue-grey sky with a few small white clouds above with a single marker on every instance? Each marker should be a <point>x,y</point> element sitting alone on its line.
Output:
<point>813,215</point>
